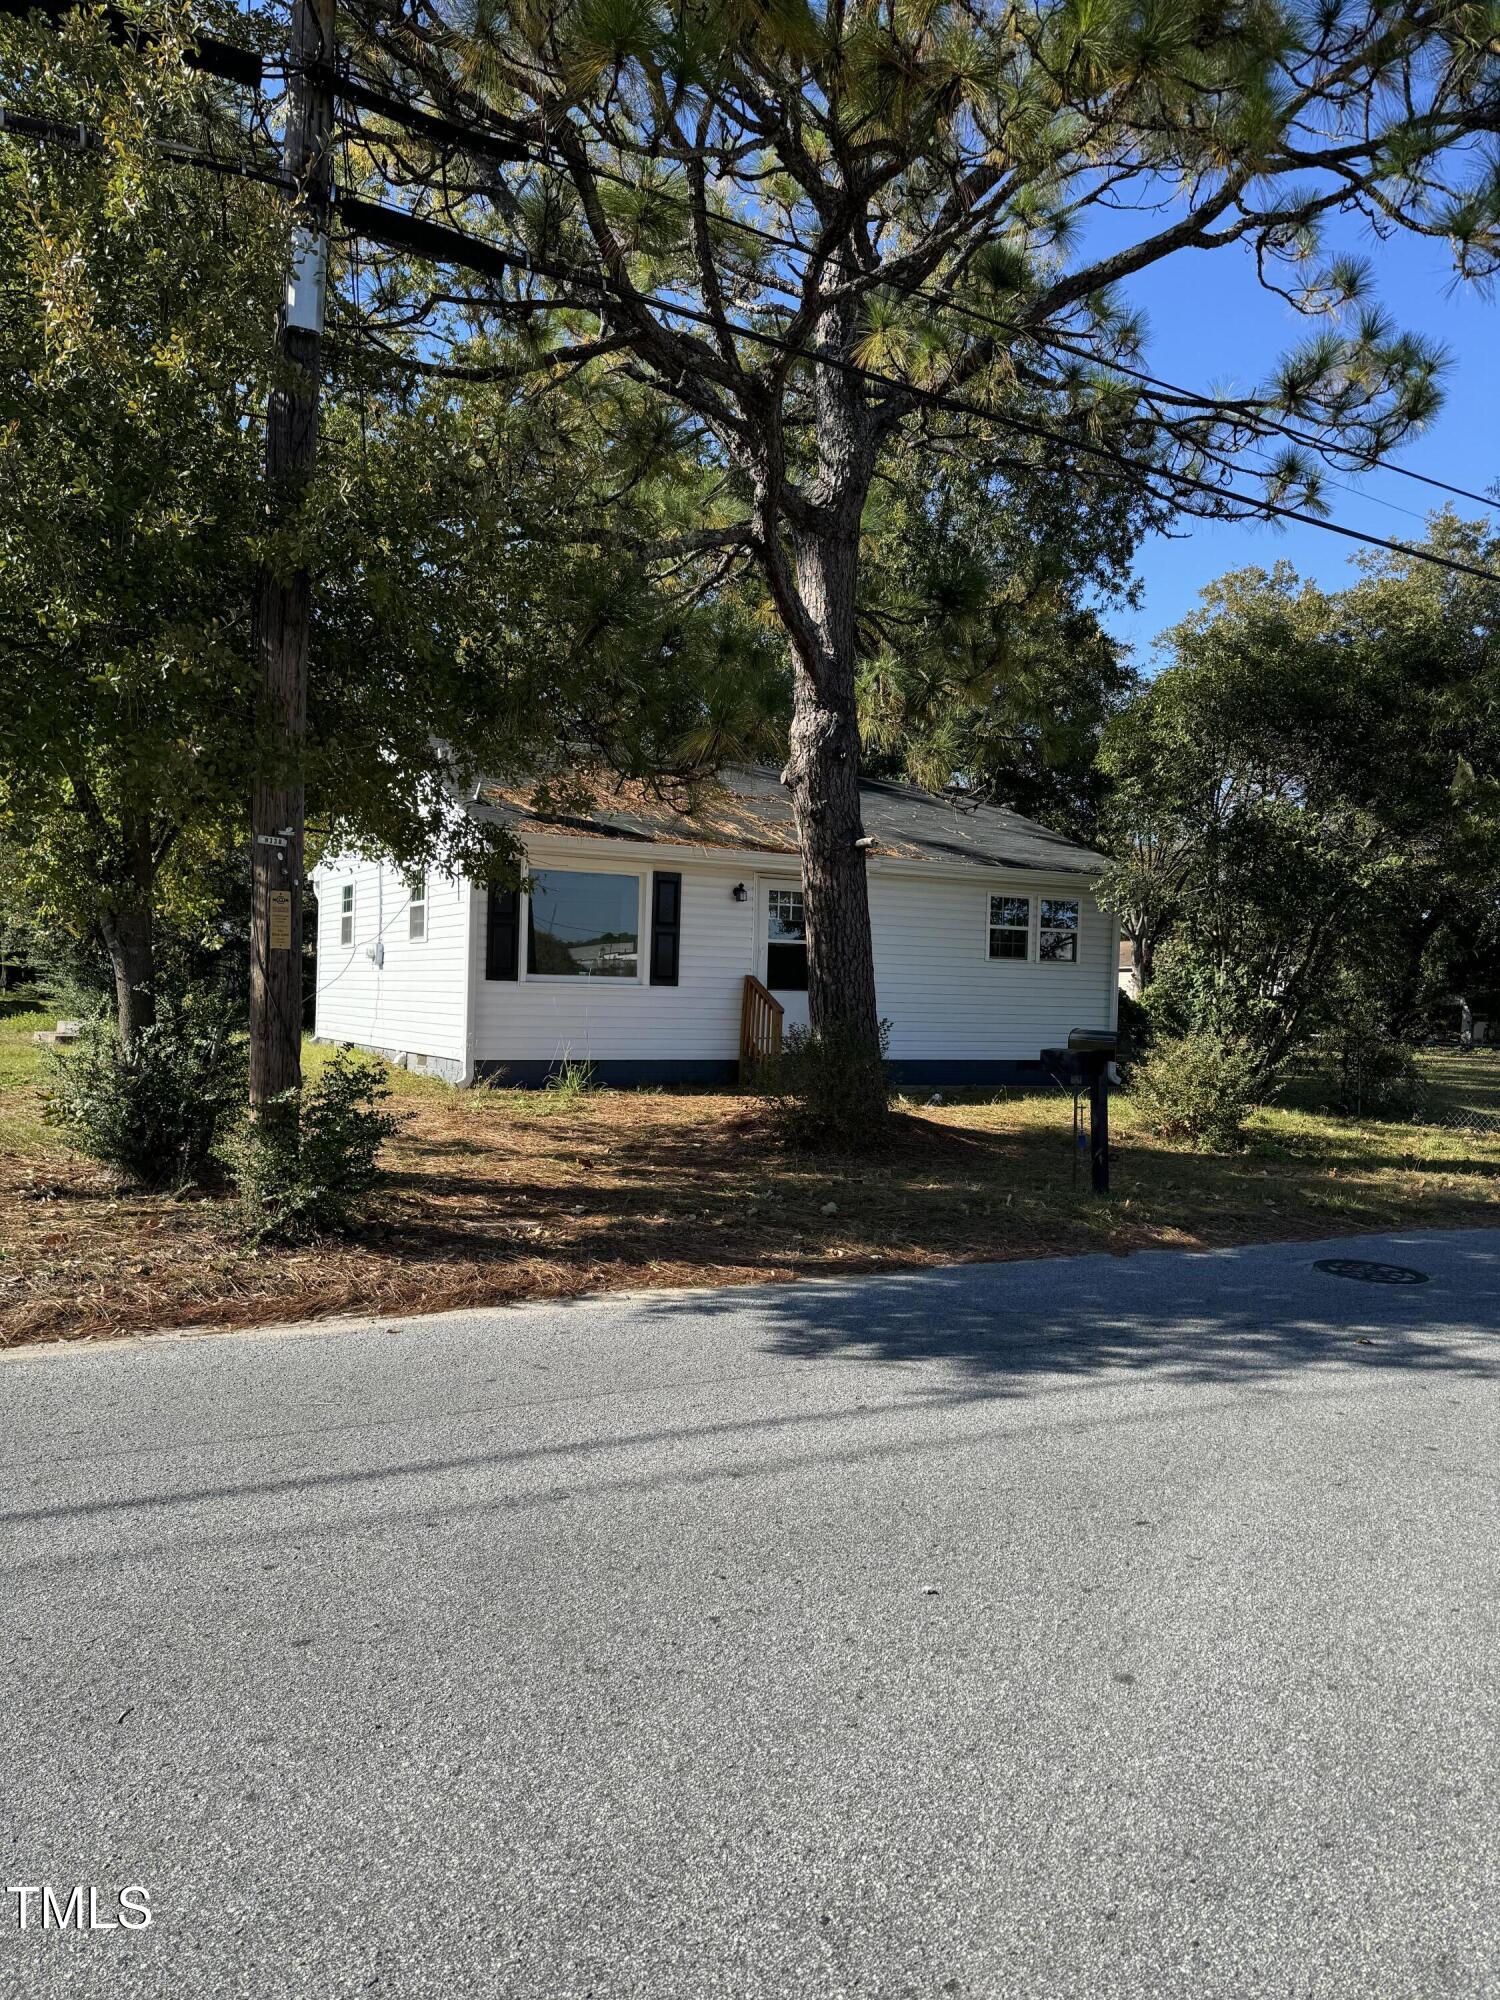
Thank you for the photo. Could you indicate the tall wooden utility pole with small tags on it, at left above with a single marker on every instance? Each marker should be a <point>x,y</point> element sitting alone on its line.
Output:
<point>283,609</point>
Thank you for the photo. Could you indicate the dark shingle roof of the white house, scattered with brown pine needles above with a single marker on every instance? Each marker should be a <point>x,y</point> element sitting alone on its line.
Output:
<point>747,809</point>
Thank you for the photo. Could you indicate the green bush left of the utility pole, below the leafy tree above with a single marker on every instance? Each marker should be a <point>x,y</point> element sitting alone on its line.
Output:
<point>159,1105</point>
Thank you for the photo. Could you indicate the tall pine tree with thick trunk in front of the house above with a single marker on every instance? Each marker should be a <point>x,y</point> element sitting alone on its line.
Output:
<point>799,225</point>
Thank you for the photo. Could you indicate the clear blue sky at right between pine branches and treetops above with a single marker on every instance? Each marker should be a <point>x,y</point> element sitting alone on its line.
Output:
<point>1211,323</point>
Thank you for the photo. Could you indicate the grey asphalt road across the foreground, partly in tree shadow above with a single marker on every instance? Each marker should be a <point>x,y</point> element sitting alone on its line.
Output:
<point>1065,1629</point>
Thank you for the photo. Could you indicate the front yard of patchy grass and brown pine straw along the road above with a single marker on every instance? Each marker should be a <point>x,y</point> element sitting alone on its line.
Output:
<point>527,1195</point>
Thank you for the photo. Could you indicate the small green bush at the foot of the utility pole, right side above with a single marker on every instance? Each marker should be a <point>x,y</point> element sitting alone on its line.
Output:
<point>309,1173</point>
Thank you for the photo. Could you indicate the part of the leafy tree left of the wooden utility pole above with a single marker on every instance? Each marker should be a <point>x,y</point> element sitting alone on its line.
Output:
<point>129,487</point>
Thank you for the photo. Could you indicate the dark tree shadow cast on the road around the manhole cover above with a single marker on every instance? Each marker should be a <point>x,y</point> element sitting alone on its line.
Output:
<point>1253,1315</point>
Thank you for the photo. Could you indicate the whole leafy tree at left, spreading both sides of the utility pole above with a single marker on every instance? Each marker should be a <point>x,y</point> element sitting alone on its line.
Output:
<point>467,617</point>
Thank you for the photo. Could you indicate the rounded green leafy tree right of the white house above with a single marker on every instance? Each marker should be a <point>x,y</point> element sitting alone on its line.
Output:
<point>1307,801</point>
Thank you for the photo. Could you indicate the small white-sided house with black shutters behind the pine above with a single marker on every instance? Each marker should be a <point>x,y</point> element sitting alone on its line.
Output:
<point>647,935</point>
